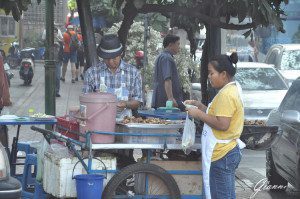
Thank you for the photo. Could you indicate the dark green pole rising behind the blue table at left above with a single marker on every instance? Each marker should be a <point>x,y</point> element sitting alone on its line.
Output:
<point>49,60</point>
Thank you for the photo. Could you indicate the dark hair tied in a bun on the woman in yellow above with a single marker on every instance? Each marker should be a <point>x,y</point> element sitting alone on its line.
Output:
<point>225,63</point>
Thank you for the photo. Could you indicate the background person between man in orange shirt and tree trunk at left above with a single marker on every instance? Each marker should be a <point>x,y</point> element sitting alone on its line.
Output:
<point>80,57</point>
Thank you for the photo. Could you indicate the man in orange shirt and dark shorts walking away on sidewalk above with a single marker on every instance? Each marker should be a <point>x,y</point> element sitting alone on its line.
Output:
<point>69,54</point>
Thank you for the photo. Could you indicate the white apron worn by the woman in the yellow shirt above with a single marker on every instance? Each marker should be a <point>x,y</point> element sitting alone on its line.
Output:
<point>208,142</point>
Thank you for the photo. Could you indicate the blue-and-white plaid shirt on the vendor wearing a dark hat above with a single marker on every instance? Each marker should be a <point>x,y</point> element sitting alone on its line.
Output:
<point>125,73</point>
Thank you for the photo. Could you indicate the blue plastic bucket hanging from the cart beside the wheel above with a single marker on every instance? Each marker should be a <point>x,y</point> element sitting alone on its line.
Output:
<point>89,186</point>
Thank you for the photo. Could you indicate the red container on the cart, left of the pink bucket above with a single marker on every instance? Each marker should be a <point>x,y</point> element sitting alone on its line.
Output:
<point>66,127</point>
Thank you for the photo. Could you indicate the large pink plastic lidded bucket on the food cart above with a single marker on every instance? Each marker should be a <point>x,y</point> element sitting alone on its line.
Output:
<point>101,110</point>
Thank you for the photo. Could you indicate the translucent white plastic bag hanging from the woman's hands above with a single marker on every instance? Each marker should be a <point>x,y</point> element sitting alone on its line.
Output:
<point>188,137</point>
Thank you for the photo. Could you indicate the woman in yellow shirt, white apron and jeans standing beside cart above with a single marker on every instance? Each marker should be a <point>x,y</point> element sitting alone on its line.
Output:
<point>224,119</point>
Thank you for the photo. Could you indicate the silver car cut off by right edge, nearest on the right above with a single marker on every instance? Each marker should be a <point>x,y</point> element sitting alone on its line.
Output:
<point>283,158</point>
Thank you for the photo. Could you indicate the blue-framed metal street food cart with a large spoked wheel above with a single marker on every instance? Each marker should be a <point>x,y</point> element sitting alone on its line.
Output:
<point>150,178</point>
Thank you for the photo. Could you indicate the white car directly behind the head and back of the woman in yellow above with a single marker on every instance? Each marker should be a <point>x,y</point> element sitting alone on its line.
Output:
<point>263,89</point>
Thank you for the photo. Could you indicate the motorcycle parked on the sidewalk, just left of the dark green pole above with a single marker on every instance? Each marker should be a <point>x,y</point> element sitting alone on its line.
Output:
<point>26,70</point>
